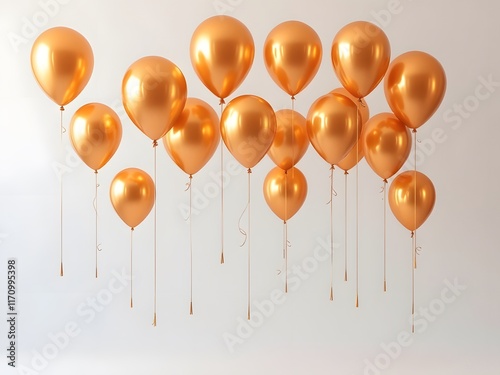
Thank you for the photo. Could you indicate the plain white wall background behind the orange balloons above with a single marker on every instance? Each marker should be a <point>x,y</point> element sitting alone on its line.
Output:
<point>306,333</point>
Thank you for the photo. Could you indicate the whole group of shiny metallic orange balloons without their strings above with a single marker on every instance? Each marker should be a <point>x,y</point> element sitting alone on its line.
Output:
<point>154,94</point>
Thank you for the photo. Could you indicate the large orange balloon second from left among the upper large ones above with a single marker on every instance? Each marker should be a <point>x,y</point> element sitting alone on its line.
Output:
<point>154,92</point>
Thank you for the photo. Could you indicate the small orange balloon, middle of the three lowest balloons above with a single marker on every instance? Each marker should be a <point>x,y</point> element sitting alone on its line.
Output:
<point>280,184</point>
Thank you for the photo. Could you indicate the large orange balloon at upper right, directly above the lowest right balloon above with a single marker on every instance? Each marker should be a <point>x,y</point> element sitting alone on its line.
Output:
<point>414,87</point>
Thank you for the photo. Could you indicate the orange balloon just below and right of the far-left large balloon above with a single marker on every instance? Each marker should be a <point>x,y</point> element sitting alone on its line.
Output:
<point>95,132</point>
